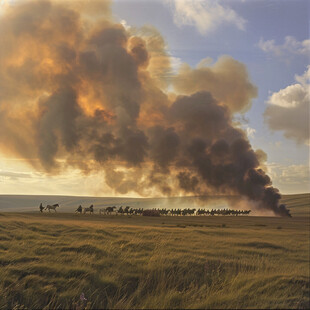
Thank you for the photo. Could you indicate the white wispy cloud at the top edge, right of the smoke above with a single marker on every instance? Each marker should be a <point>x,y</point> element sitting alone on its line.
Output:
<point>205,15</point>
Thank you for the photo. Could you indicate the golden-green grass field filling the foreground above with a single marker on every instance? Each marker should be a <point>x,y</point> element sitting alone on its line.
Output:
<point>48,260</point>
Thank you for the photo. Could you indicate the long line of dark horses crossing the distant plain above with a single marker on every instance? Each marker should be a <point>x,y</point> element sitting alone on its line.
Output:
<point>165,212</point>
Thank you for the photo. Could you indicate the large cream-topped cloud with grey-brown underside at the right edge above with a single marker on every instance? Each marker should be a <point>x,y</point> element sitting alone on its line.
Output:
<point>288,109</point>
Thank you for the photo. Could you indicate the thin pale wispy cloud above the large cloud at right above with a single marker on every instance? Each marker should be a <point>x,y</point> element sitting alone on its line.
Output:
<point>291,46</point>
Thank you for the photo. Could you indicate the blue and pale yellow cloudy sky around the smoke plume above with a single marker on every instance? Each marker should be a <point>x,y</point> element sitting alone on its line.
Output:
<point>271,38</point>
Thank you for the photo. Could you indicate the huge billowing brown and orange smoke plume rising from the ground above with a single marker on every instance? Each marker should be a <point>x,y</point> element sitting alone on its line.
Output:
<point>79,90</point>
